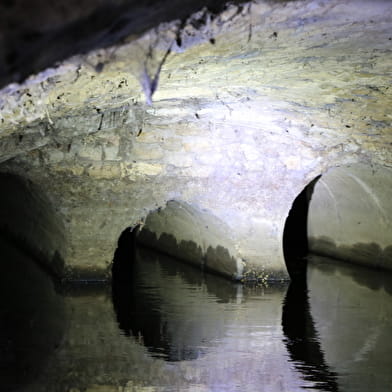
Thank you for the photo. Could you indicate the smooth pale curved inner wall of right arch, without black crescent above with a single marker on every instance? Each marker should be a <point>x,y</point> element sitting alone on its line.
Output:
<point>349,215</point>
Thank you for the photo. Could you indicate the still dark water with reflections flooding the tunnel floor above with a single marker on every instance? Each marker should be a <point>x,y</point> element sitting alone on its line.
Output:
<point>165,326</point>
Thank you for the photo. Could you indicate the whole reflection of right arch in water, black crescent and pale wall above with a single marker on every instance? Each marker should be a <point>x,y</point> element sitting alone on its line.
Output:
<point>337,326</point>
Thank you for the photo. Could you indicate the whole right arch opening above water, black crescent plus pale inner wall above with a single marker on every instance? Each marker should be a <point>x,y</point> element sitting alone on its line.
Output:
<point>346,214</point>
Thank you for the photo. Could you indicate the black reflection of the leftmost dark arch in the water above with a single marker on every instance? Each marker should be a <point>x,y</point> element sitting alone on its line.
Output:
<point>31,320</point>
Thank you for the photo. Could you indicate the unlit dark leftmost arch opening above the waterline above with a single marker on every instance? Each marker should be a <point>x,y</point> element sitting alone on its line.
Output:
<point>28,219</point>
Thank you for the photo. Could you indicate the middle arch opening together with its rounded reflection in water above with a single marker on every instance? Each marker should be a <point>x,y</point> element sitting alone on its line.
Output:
<point>156,271</point>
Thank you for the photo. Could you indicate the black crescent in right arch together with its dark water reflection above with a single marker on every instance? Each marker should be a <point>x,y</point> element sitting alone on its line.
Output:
<point>301,336</point>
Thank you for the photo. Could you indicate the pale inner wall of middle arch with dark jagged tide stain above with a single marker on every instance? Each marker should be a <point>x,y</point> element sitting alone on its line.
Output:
<point>193,235</point>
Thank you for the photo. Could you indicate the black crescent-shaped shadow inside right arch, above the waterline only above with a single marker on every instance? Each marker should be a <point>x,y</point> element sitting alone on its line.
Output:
<point>295,234</point>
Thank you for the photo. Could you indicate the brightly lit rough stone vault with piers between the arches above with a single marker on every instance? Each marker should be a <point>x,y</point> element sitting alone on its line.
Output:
<point>251,105</point>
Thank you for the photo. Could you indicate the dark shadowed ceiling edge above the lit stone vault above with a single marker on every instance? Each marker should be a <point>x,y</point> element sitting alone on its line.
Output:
<point>35,34</point>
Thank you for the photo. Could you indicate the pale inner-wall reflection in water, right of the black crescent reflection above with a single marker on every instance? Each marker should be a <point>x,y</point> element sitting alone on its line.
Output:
<point>352,312</point>
